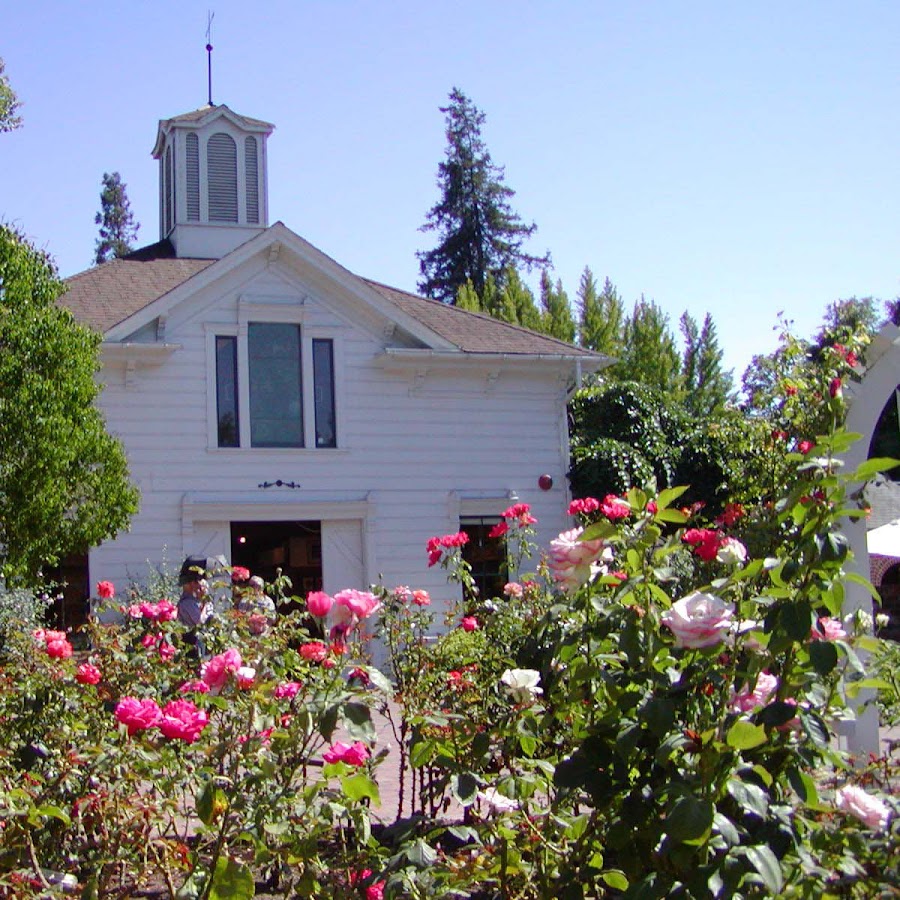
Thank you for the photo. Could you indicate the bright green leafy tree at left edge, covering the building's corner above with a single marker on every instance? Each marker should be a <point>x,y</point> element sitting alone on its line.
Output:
<point>63,480</point>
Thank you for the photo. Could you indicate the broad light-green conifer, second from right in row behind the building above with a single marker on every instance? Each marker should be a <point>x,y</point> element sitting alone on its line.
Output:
<point>649,355</point>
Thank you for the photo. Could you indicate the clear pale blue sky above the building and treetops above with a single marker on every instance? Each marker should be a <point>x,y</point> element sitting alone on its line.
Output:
<point>740,159</point>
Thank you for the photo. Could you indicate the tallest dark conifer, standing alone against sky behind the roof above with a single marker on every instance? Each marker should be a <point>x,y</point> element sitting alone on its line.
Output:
<point>479,234</point>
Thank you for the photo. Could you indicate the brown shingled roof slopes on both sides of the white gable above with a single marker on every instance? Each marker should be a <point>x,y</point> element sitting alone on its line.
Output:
<point>108,294</point>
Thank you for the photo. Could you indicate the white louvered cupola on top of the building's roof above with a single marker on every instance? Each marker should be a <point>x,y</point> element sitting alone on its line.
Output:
<point>213,185</point>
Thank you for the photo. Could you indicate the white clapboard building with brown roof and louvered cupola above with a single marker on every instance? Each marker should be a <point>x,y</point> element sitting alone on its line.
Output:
<point>282,412</point>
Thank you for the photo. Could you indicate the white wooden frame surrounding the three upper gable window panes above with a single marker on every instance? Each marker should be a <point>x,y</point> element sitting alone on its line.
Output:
<point>280,312</point>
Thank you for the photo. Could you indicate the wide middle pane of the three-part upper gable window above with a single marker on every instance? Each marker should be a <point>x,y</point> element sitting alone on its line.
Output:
<point>276,394</point>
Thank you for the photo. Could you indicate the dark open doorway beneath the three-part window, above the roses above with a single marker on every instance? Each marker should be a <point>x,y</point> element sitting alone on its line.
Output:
<point>293,548</point>
